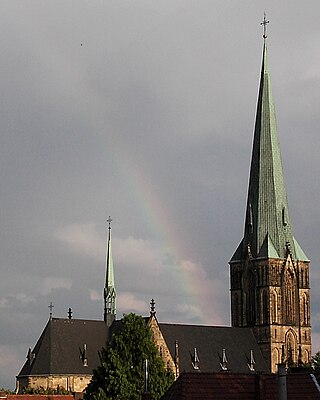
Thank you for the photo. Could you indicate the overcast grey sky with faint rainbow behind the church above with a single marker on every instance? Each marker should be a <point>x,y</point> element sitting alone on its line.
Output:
<point>143,110</point>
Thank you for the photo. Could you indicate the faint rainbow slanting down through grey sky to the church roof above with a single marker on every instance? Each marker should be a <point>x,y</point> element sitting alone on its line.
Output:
<point>192,285</point>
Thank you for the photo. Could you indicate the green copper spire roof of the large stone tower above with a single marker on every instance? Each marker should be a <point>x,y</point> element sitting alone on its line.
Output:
<point>267,224</point>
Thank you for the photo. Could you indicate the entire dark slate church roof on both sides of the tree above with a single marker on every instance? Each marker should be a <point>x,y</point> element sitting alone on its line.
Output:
<point>58,350</point>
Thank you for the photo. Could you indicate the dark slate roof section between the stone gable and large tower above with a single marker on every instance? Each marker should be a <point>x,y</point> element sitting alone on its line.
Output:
<point>210,342</point>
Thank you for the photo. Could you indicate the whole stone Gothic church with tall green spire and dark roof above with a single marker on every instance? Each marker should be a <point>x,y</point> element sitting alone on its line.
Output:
<point>269,286</point>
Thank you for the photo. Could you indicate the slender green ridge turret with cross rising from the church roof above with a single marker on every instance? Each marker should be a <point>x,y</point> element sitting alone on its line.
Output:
<point>109,293</point>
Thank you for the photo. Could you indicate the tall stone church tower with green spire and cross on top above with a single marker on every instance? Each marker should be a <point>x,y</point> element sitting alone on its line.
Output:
<point>269,271</point>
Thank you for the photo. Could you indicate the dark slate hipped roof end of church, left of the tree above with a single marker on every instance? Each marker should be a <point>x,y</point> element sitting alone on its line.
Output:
<point>58,350</point>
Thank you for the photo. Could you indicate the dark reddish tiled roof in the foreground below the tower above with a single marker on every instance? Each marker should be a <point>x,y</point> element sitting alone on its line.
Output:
<point>231,386</point>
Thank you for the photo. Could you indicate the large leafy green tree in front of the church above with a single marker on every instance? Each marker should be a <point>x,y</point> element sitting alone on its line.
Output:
<point>120,375</point>
